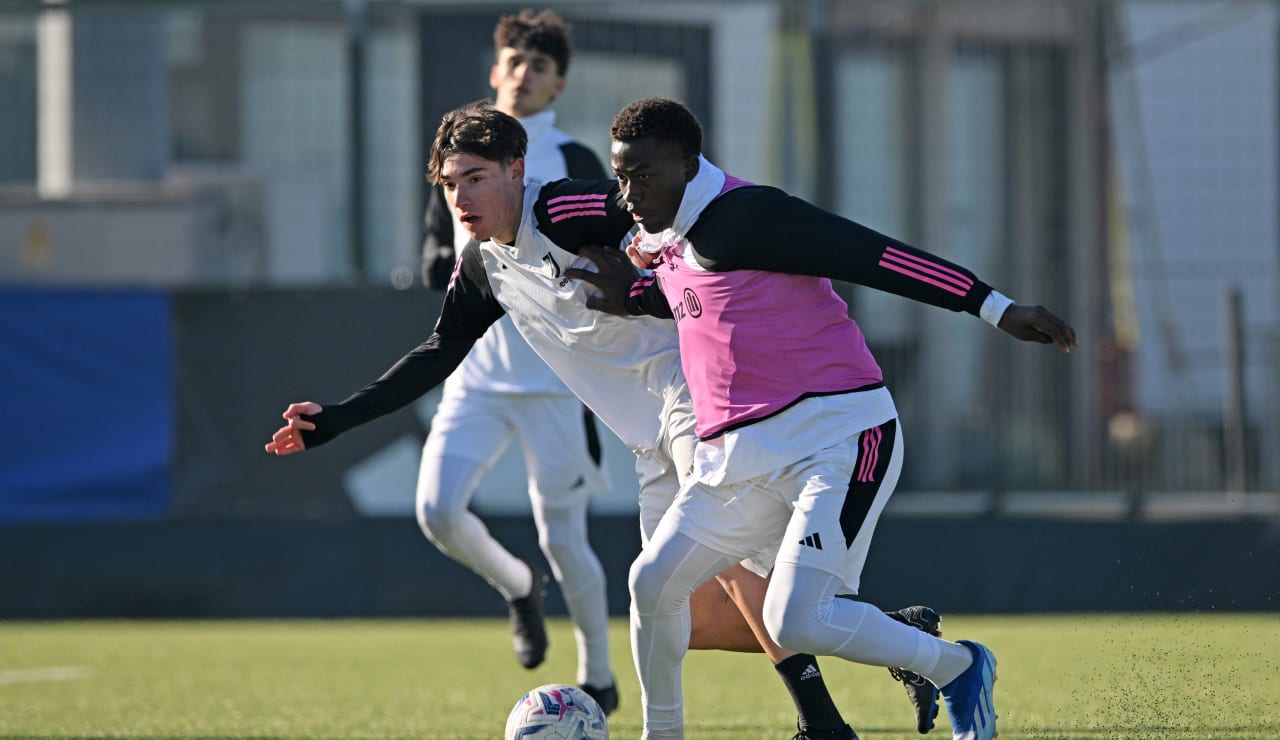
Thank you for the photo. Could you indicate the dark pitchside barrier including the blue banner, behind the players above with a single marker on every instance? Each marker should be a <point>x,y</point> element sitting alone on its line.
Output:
<point>135,485</point>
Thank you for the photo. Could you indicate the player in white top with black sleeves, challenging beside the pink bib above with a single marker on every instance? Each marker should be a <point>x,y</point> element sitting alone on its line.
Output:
<point>625,369</point>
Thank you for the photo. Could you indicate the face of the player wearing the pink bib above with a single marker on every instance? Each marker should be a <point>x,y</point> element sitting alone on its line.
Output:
<point>653,176</point>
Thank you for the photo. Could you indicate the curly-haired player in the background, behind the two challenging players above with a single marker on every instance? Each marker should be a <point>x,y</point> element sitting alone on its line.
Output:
<point>504,391</point>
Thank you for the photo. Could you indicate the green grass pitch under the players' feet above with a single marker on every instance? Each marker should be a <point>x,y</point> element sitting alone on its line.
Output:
<point>1060,677</point>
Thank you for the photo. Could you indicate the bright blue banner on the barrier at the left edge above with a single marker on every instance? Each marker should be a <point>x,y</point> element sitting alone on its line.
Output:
<point>89,423</point>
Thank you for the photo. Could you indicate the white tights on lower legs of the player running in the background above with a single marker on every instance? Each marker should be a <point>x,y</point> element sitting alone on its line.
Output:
<point>445,488</point>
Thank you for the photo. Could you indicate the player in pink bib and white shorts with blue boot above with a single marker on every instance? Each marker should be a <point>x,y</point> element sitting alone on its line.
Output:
<point>799,441</point>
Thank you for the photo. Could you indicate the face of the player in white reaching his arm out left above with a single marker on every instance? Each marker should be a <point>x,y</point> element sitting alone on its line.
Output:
<point>484,195</point>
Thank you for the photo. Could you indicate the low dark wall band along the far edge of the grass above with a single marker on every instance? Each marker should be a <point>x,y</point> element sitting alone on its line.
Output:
<point>386,569</point>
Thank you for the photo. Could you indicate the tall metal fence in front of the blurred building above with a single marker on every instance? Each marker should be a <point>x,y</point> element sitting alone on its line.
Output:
<point>1116,162</point>
